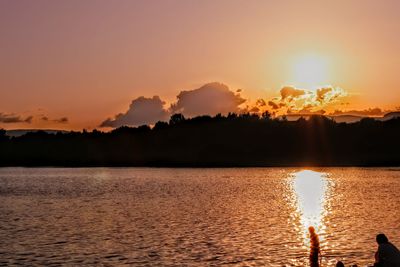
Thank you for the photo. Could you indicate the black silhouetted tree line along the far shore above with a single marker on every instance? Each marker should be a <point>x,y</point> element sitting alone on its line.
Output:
<point>218,141</point>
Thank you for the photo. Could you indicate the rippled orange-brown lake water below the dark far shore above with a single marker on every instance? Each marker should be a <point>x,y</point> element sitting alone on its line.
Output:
<point>194,217</point>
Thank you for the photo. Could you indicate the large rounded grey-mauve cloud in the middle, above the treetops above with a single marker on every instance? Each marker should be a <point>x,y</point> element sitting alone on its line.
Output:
<point>210,99</point>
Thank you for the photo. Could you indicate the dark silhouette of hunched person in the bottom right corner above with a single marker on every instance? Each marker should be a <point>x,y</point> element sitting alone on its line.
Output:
<point>387,255</point>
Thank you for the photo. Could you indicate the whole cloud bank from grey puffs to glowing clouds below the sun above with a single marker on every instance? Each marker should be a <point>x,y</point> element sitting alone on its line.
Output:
<point>214,98</point>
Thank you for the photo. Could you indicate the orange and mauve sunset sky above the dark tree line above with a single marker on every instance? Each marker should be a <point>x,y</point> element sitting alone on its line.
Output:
<point>102,64</point>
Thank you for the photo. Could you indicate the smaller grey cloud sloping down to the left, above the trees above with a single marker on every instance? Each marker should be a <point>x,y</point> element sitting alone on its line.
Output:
<point>141,111</point>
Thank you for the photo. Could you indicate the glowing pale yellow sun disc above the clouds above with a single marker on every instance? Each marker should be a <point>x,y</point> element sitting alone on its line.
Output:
<point>310,71</point>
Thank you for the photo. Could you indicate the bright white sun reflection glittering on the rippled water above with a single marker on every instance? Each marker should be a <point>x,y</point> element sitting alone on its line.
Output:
<point>310,188</point>
